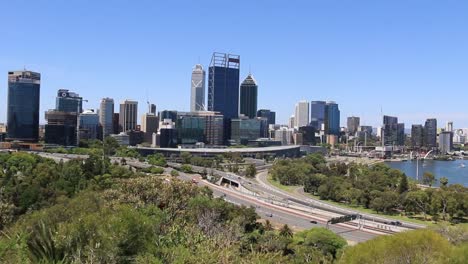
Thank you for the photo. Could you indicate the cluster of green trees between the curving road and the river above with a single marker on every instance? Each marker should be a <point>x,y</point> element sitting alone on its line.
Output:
<point>377,187</point>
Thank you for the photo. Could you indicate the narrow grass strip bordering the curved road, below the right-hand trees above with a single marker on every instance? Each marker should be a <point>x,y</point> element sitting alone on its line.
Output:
<point>292,189</point>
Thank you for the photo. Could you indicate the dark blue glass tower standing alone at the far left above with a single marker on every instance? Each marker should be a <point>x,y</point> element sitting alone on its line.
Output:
<point>23,106</point>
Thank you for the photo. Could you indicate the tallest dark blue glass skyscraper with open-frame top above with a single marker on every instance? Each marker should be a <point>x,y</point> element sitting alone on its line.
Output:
<point>223,88</point>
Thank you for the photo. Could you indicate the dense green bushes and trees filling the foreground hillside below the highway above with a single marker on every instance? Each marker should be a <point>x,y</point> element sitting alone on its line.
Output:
<point>90,211</point>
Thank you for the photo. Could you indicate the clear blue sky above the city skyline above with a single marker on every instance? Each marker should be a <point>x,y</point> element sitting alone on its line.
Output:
<point>409,57</point>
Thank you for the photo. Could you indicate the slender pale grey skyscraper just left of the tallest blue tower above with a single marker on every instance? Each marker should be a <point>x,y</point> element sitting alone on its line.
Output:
<point>197,100</point>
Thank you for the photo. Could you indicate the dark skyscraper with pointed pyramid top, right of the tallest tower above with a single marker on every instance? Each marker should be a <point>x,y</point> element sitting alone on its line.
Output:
<point>248,97</point>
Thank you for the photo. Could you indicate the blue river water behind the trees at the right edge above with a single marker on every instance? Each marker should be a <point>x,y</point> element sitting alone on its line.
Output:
<point>452,170</point>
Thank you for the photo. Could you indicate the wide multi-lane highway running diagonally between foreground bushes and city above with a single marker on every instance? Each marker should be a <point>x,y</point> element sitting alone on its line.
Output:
<point>268,202</point>
